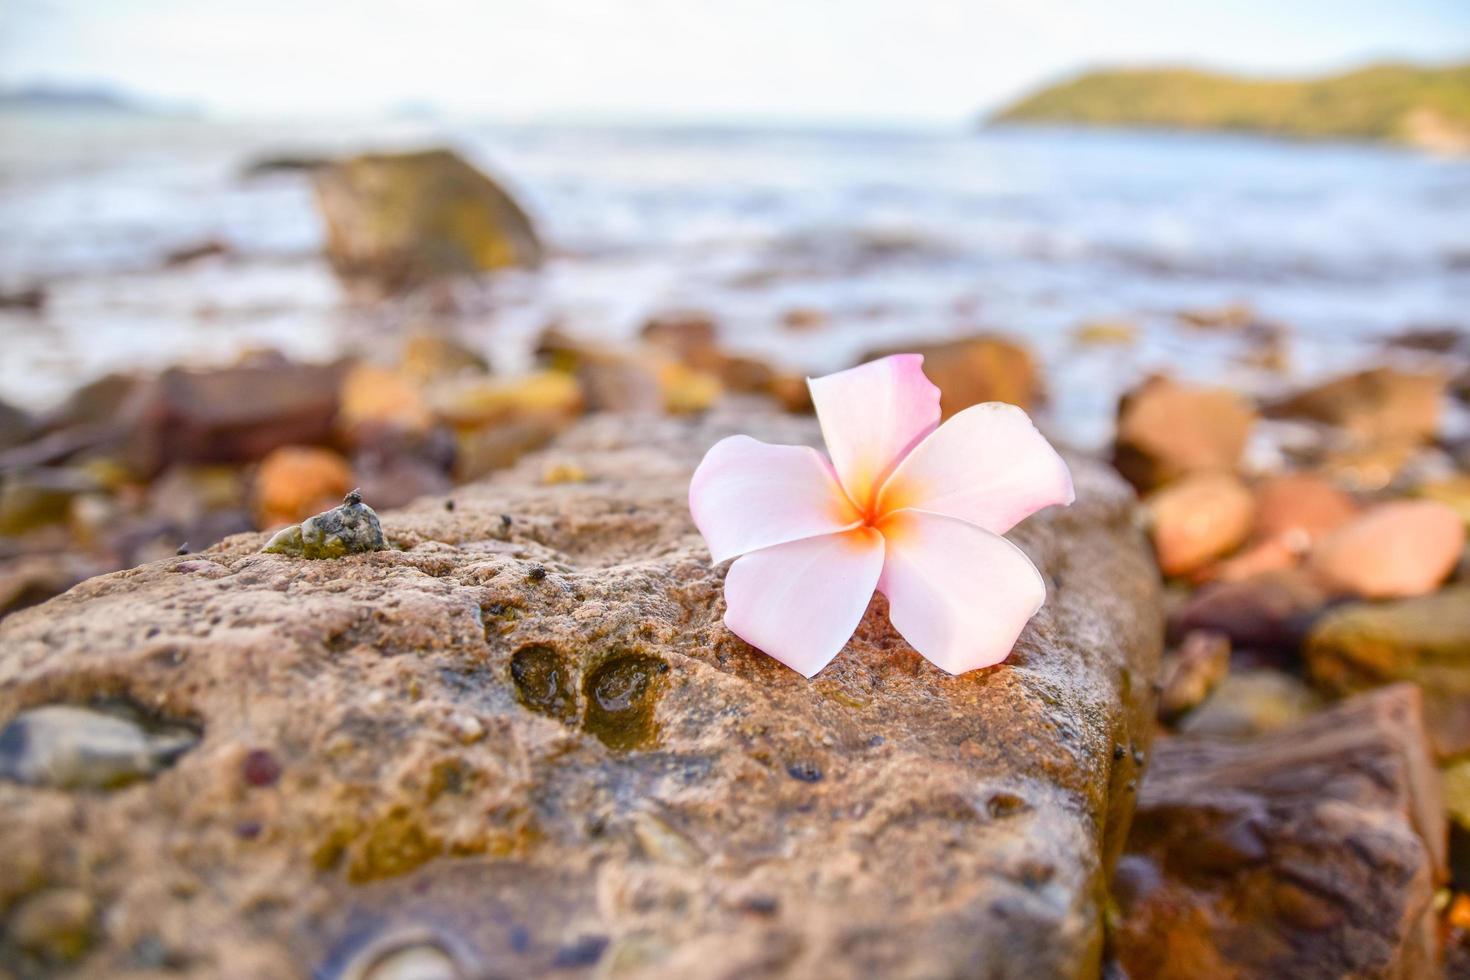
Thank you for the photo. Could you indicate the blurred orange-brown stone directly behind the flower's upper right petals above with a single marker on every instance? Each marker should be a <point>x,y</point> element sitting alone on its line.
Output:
<point>977,370</point>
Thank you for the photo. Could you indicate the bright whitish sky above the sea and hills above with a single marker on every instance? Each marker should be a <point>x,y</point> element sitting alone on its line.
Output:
<point>900,61</point>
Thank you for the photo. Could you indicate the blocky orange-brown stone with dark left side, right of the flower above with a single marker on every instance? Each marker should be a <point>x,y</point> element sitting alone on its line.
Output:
<point>1168,430</point>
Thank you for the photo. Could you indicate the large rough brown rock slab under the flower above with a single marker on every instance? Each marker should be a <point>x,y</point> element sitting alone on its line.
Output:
<point>523,743</point>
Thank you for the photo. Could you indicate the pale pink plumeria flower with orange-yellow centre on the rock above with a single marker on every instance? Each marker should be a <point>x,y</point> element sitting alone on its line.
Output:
<point>905,506</point>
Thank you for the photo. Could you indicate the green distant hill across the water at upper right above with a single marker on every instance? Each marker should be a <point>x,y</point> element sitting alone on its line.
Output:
<point>1421,107</point>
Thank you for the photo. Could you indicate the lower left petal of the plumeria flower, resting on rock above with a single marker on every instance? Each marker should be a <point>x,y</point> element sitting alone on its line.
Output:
<point>802,602</point>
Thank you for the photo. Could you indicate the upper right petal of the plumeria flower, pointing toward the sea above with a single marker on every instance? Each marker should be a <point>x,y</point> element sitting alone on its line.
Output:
<point>987,466</point>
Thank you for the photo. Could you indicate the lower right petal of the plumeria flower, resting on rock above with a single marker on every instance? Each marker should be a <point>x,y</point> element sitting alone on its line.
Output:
<point>959,594</point>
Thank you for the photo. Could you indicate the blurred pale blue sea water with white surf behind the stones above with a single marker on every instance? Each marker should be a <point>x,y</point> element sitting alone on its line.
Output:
<point>894,236</point>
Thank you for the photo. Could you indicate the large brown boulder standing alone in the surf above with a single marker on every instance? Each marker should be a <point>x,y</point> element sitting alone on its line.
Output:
<point>401,220</point>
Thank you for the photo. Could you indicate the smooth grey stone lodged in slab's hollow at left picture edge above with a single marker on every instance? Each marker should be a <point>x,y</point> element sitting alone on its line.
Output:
<point>67,747</point>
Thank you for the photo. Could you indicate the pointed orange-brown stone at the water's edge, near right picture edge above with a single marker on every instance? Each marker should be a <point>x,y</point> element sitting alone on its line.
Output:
<point>1383,405</point>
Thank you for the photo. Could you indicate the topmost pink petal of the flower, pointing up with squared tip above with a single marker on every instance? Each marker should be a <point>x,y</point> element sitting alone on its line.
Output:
<point>871,417</point>
